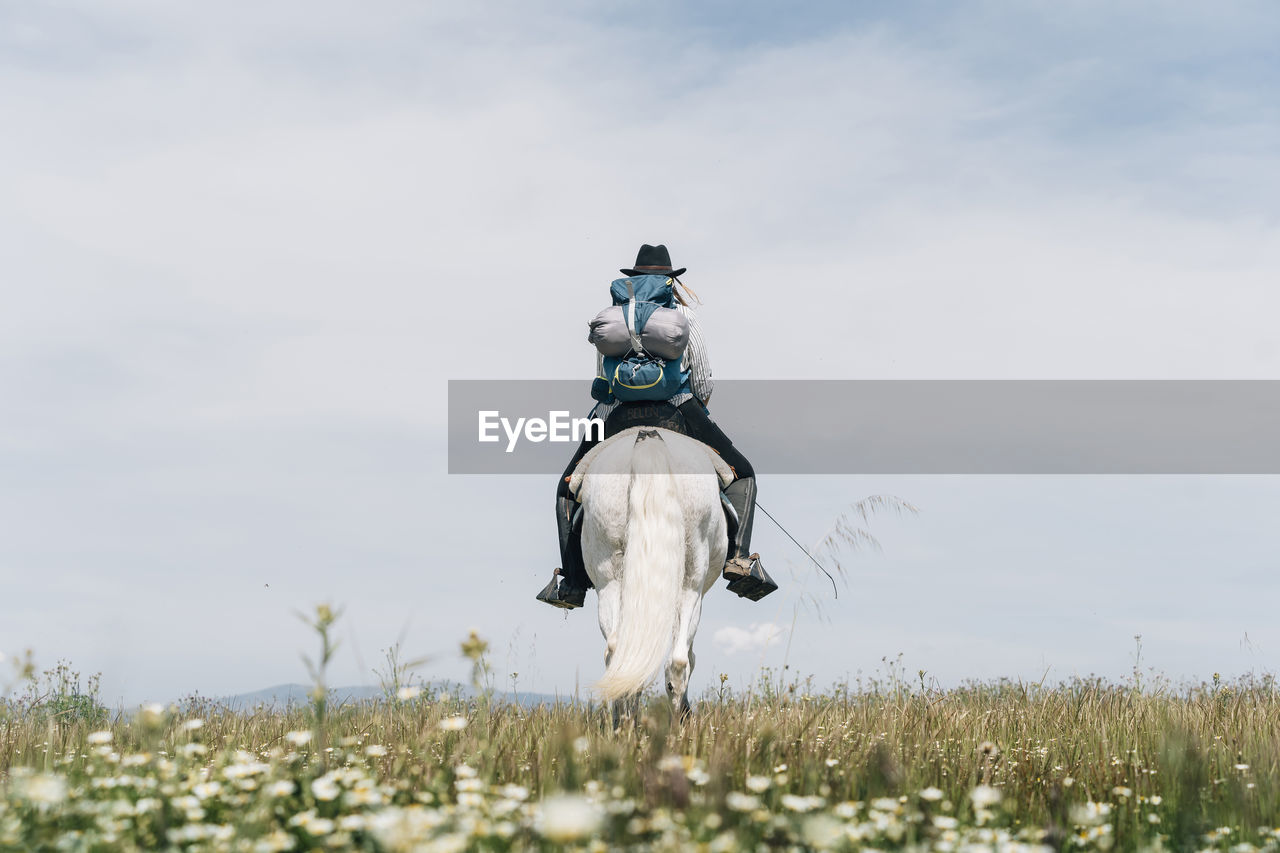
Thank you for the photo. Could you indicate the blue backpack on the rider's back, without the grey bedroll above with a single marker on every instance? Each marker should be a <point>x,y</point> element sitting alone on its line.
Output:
<point>638,375</point>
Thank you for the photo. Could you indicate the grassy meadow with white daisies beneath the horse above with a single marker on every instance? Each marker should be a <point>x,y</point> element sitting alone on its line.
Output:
<point>883,764</point>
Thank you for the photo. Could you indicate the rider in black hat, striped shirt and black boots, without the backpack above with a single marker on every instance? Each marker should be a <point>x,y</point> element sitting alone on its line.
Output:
<point>743,569</point>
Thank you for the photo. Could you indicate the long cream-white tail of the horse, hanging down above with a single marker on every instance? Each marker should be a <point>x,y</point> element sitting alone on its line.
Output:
<point>653,567</point>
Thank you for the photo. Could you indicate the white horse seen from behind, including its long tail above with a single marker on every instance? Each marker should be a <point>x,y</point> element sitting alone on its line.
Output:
<point>653,541</point>
